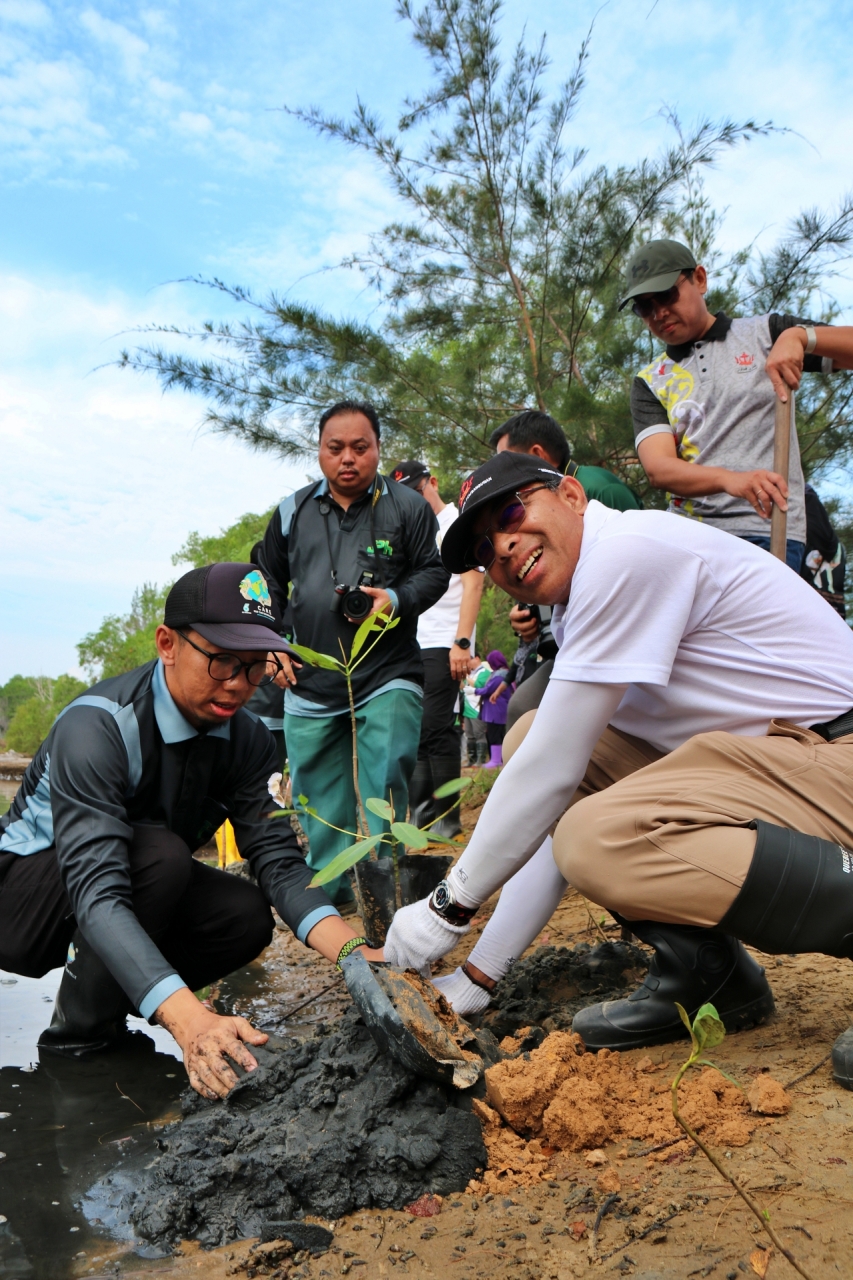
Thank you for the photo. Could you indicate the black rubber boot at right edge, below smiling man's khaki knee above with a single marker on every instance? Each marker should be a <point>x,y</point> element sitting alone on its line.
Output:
<point>799,897</point>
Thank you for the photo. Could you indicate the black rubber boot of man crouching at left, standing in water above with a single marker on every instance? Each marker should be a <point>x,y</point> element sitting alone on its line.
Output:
<point>92,1009</point>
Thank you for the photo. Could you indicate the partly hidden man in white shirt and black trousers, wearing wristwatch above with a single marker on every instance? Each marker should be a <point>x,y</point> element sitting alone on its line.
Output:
<point>446,639</point>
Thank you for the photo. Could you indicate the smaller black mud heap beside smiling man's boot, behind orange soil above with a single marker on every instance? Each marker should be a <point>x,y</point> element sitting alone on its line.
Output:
<point>553,985</point>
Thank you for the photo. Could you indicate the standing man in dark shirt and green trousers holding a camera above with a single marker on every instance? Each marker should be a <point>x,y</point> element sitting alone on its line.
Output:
<point>353,529</point>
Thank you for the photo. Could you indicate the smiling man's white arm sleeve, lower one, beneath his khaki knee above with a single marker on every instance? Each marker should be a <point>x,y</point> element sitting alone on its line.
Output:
<point>526,906</point>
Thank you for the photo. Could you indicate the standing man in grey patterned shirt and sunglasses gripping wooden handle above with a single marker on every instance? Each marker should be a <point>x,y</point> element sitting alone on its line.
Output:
<point>704,410</point>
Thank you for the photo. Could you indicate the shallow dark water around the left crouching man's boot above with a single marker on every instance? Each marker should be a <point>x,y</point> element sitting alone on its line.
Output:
<point>62,1126</point>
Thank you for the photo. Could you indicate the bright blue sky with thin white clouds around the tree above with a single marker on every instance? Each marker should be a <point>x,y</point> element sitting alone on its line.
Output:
<point>142,145</point>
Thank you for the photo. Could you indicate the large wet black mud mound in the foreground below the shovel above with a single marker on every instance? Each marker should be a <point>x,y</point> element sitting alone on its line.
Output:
<point>325,1127</point>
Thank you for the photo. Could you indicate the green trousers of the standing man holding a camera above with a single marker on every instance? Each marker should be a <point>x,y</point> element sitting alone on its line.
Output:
<point>321,756</point>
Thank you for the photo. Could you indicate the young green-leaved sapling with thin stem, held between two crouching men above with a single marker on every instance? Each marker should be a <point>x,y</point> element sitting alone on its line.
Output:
<point>400,833</point>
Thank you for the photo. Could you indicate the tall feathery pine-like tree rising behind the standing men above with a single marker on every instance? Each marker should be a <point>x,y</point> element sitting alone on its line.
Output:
<point>500,284</point>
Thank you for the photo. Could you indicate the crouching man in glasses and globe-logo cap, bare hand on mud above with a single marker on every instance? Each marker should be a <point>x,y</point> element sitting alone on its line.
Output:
<point>97,867</point>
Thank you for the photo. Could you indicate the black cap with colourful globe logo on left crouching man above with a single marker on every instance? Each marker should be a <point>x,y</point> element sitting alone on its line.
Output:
<point>230,606</point>
